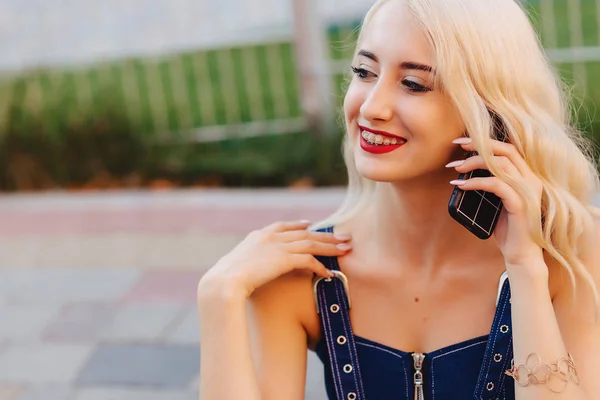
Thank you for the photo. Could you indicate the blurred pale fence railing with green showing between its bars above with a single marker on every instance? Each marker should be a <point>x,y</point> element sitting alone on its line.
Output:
<point>253,88</point>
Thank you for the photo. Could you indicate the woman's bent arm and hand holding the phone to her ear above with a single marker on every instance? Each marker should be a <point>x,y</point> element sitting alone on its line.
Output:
<point>546,330</point>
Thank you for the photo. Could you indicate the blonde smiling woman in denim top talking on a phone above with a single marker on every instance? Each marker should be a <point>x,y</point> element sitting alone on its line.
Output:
<point>431,316</point>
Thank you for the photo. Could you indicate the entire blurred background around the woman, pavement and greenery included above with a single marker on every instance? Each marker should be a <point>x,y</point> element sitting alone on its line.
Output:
<point>140,140</point>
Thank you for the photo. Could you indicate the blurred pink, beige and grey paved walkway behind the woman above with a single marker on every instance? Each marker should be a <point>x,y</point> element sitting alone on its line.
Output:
<point>97,291</point>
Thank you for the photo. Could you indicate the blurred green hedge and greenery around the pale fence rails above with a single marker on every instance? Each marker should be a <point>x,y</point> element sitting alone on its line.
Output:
<point>99,125</point>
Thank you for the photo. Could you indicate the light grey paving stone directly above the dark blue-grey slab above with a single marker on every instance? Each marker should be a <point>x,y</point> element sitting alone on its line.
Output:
<point>141,322</point>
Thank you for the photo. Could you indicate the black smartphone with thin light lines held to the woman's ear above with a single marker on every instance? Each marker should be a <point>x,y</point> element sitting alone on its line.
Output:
<point>476,210</point>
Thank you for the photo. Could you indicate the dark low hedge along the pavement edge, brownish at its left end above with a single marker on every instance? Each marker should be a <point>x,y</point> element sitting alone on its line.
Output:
<point>58,146</point>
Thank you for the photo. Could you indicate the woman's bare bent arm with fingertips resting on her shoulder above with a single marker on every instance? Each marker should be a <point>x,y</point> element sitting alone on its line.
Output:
<point>259,354</point>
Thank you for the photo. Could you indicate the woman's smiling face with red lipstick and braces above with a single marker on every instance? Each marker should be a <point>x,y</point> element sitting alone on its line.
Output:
<point>392,92</point>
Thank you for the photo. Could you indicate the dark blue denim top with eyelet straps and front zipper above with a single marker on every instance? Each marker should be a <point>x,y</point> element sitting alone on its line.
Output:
<point>357,368</point>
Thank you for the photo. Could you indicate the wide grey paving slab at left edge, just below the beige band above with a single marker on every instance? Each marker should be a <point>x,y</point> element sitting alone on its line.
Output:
<point>65,285</point>
